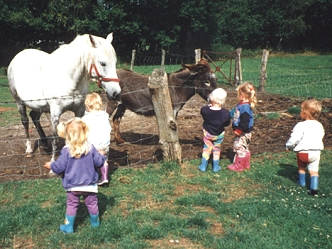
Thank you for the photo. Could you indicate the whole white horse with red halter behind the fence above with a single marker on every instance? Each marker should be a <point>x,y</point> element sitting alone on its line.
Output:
<point>57,82</point>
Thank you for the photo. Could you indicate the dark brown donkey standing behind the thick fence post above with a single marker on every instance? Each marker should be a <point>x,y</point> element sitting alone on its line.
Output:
<point>183,84</point>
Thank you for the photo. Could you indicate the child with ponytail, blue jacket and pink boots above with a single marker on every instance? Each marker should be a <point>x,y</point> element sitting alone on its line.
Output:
<point>243,123</point>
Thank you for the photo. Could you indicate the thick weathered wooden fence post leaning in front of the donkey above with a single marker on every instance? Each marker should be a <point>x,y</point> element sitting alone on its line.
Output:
<point>168,128</point>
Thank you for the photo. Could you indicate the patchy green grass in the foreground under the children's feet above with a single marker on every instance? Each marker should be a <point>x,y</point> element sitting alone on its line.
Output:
<point>146,208</point>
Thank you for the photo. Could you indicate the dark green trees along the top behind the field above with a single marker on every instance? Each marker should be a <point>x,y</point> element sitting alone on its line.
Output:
<point>176,26</point>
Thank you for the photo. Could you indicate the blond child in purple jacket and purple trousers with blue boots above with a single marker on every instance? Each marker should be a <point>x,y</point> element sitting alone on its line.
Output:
<point>77,163</point>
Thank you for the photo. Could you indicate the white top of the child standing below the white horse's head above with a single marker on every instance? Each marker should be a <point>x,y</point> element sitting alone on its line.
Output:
<point>99,128</point>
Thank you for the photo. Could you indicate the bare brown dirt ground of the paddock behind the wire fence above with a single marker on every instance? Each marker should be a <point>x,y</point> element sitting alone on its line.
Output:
<point>272,128</point>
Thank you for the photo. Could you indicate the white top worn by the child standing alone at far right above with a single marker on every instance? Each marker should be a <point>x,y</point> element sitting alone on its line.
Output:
<point>306,135</point>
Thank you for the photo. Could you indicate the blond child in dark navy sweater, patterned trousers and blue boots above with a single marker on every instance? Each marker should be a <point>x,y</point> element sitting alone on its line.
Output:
<point>215,119</point>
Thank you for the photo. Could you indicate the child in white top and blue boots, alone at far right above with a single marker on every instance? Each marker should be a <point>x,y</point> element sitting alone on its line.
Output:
<point>307,141</point>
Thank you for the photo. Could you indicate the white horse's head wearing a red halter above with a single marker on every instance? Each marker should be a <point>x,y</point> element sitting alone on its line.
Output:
<point>103,65</point>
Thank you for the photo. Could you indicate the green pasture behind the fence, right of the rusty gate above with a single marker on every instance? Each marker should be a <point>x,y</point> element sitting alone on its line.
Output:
<point>299,76</point>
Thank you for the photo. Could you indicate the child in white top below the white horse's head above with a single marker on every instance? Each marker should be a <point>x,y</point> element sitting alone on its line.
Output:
<point>99,129</point>
